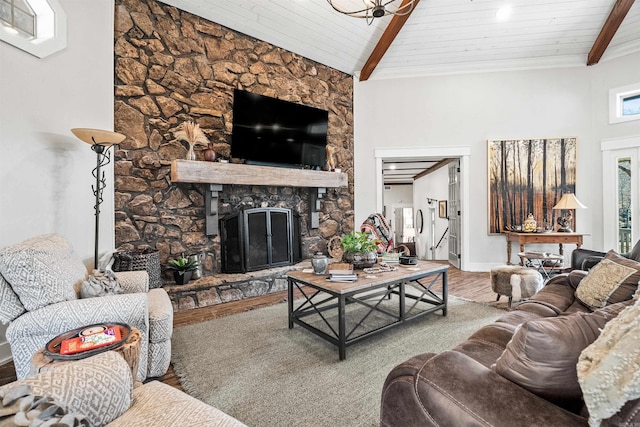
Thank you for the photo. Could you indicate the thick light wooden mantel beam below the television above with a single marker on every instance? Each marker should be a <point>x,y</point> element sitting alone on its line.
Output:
<point>199,172</point>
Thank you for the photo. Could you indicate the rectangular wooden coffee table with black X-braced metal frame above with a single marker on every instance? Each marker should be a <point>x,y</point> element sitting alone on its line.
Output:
<point>342,313</point>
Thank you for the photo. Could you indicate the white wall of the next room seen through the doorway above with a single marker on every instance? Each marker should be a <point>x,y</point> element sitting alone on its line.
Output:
<point>432,186</point>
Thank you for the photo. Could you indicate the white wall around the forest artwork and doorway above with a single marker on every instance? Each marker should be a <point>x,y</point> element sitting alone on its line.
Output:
<point>468,109</point>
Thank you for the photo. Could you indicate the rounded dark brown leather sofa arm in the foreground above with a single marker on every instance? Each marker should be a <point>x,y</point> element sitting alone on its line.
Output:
<point>451,389</point>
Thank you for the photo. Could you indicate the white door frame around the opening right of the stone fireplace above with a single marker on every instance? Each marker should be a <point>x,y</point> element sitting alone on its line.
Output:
<point>463,152</point>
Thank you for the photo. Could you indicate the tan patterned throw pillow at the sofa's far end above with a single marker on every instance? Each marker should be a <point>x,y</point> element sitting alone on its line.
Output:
<point>612,280</point>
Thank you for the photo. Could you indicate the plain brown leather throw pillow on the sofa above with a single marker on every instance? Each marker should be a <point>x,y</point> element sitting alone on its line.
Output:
<point>543,353</point>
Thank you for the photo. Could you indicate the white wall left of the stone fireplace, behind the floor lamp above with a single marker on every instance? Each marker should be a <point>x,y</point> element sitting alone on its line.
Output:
<point>45,172</point>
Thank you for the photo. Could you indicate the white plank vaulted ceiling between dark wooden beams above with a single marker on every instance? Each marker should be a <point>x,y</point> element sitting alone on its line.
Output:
<point>441,36</point>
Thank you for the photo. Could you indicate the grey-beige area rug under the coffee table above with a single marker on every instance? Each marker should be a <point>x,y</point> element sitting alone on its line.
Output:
<point>251,366</point>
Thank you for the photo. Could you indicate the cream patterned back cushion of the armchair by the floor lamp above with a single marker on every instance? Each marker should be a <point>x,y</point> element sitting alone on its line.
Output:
<point>42,270</point>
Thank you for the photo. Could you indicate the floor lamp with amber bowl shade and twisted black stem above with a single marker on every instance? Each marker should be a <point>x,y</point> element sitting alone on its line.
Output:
<point>101,141</point>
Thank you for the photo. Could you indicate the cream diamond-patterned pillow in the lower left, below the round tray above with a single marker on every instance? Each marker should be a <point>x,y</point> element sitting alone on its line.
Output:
<point>99,387</point>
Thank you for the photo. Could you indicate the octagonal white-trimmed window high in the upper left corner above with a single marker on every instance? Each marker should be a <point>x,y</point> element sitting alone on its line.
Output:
<point>35,26</point>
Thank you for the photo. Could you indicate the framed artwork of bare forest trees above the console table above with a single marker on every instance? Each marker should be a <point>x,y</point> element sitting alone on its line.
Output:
<point>528,176</point>
